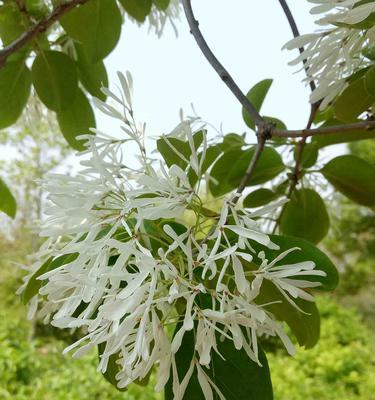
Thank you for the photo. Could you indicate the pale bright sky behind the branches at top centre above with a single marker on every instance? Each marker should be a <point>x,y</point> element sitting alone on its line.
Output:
<point>171,73</point>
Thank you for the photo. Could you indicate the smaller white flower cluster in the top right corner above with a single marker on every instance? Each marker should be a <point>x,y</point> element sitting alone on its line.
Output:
<point>334,53</point>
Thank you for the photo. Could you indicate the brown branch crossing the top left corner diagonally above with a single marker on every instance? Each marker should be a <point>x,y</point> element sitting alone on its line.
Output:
<point>36,29</point>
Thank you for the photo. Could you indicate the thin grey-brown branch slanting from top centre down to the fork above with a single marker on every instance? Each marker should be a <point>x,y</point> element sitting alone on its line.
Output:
<point>218,67</point>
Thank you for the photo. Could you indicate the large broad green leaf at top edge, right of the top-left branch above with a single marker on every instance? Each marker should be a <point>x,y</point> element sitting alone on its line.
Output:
<point>96,25</point>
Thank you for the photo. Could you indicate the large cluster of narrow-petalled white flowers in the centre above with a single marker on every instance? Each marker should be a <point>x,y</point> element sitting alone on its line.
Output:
<point>131,266</point>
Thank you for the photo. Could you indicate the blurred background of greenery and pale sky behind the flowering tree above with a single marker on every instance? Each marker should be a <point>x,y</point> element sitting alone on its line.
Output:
<point>170,73</point>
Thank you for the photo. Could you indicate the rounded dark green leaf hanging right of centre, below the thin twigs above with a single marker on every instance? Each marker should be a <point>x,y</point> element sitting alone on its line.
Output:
<point>305,216</point>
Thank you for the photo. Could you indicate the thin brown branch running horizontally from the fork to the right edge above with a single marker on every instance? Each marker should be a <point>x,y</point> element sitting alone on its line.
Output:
<point>327,130</point>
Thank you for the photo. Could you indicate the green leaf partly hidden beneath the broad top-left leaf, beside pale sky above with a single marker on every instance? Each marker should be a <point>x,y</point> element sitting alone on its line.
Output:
<point>92,76</point>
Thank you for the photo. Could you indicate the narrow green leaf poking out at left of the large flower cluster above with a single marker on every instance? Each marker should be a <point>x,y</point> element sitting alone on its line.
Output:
<point>35,284</point>
